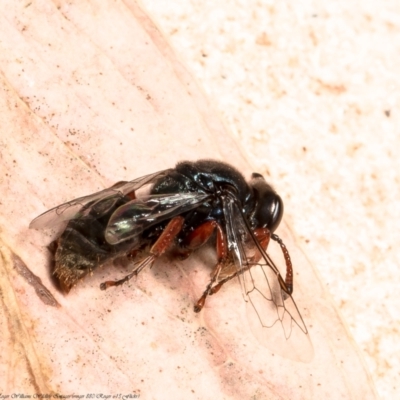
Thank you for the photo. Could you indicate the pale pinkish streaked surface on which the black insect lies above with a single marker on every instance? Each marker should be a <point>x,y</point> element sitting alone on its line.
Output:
<point>91,95</point>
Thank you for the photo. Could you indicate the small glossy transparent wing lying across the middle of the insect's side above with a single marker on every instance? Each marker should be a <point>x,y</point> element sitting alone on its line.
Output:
<point>134,217</point>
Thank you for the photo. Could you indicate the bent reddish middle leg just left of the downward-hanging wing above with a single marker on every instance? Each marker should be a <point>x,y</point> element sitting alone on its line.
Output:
<point>199,237</point>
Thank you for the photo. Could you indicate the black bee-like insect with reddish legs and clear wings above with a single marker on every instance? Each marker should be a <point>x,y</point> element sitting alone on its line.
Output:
<point>183,207</point>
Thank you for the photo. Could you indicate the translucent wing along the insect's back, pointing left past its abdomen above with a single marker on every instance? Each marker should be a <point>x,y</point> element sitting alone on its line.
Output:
<point>76,208</point>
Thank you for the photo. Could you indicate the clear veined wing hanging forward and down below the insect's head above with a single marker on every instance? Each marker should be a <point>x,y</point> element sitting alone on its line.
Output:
<point>272,313</point>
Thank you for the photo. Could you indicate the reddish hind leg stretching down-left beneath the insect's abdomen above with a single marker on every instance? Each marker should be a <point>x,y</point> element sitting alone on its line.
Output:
<point>165,240</point>
